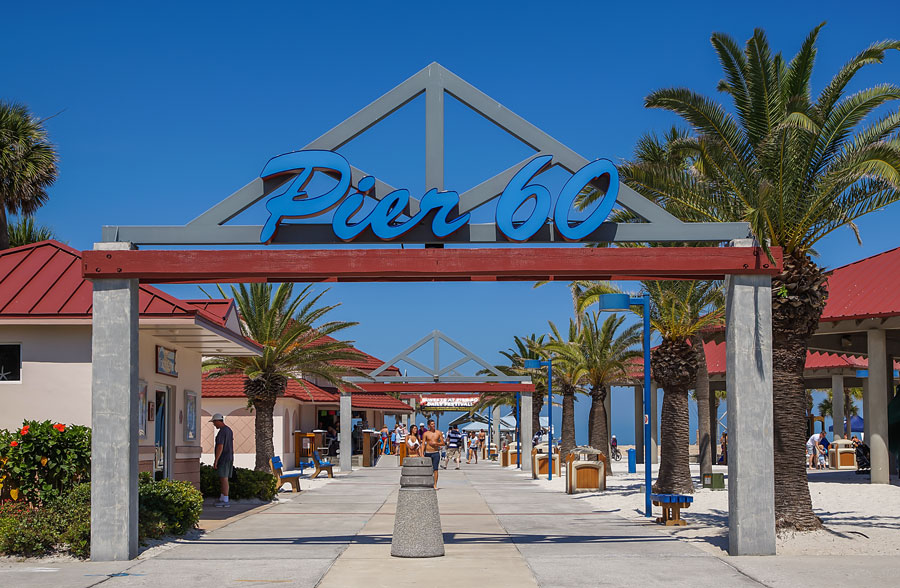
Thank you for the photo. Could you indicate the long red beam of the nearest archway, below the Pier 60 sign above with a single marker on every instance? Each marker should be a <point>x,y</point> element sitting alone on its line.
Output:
<point>401,265</point>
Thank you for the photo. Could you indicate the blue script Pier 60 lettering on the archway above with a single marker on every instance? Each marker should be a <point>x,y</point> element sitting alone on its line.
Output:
<point>387,220</point>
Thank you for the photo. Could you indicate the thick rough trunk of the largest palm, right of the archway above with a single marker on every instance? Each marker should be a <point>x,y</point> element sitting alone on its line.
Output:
<point>798,298</point>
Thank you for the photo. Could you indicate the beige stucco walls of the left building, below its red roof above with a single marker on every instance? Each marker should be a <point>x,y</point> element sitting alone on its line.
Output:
<point>56,386</point>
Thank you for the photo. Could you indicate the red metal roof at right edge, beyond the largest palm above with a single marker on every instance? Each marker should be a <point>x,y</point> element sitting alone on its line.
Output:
<point>867,288</point>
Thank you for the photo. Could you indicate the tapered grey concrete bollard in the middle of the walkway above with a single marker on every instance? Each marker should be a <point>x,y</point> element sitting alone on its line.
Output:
<point>417,524</point>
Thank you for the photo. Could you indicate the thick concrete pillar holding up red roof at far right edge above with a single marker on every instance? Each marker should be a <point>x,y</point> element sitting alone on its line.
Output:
<point>880,378</point>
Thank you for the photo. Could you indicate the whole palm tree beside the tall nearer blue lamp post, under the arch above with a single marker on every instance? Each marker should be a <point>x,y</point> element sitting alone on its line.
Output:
<point>679,310</point>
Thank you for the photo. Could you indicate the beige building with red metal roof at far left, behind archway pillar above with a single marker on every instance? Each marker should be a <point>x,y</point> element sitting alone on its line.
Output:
<point>45,354</point>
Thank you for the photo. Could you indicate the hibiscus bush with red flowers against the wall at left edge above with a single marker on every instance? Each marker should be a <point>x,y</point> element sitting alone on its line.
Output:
<point>43,460</point>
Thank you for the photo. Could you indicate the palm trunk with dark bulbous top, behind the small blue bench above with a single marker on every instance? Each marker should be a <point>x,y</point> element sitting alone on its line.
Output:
<point>674,365</point>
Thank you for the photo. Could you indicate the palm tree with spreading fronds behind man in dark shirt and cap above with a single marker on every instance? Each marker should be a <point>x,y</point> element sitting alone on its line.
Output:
<point>294,345</point>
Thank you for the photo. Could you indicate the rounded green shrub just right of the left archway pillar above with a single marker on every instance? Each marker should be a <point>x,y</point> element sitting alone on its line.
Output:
<point>167,507</point>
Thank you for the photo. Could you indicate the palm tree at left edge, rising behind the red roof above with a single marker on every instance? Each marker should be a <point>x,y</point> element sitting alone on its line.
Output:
<point>27,164</point>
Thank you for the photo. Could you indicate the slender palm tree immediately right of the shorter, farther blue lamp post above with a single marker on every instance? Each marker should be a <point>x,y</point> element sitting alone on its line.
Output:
<point>568,378</point>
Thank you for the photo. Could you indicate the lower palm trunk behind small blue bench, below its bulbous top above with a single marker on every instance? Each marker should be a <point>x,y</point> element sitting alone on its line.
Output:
<point>674,460</point>
